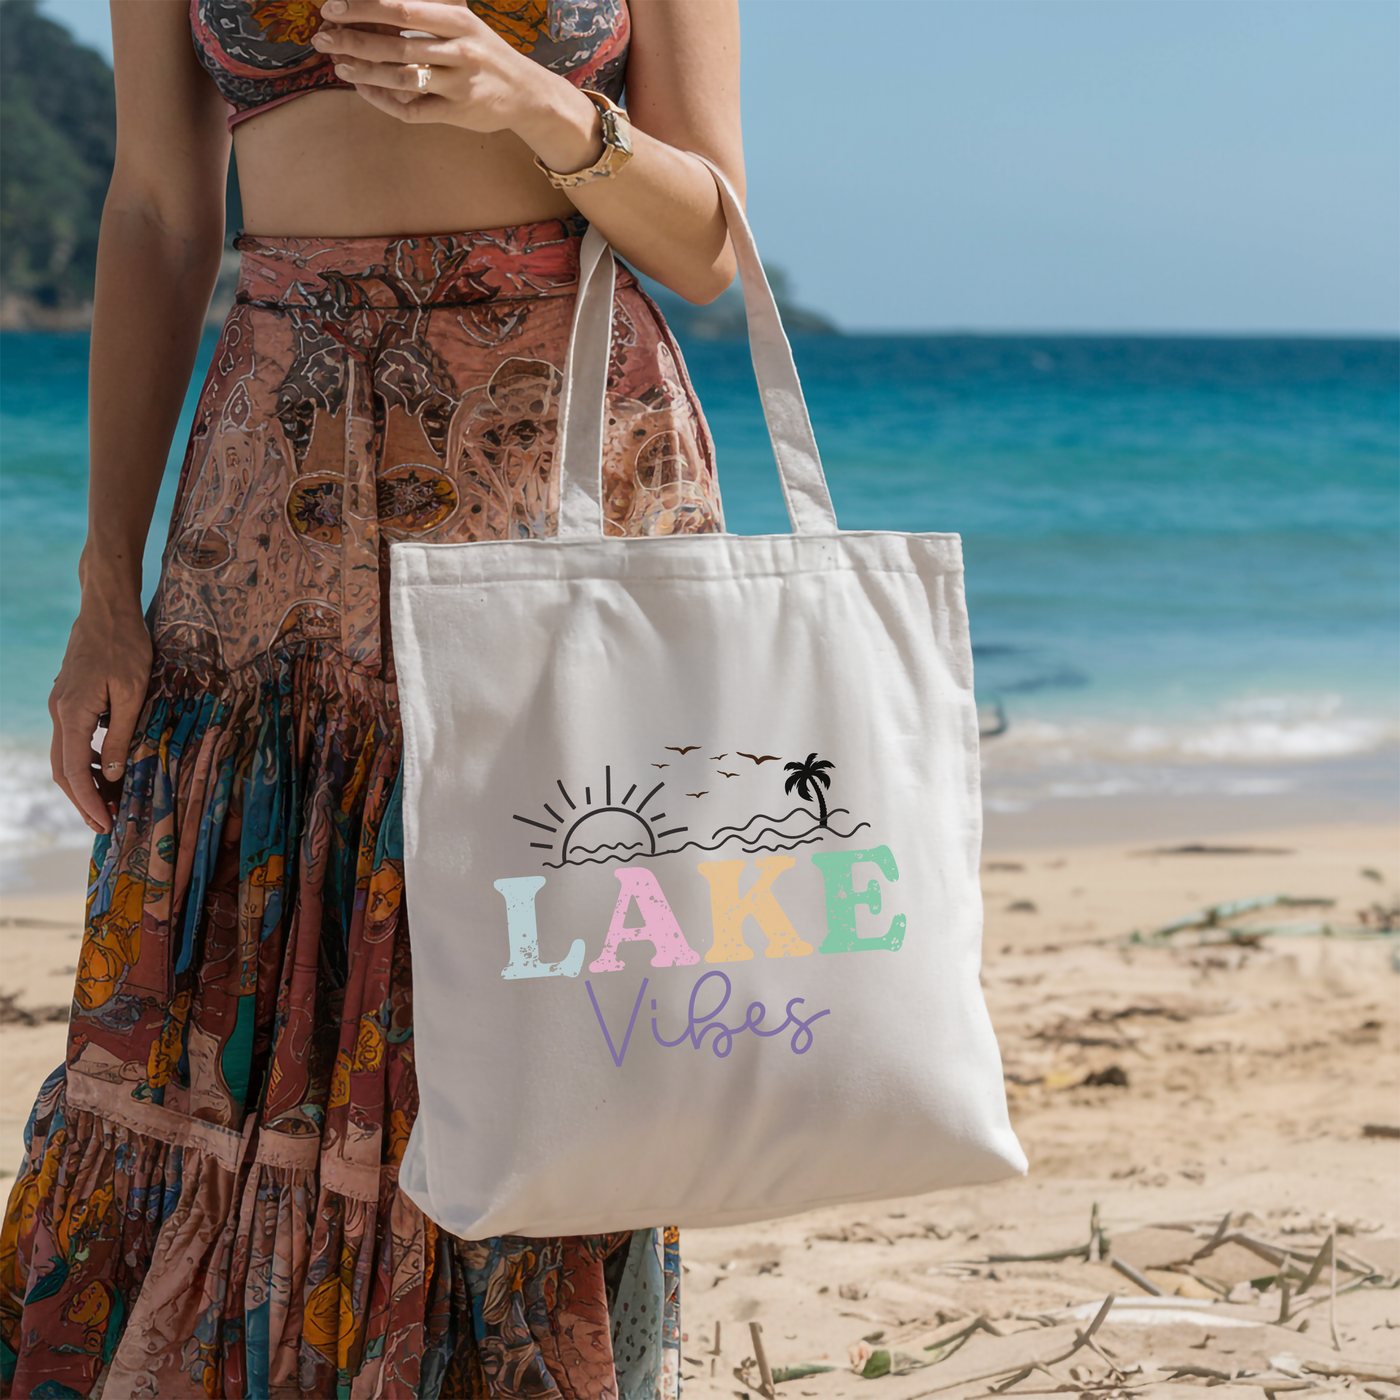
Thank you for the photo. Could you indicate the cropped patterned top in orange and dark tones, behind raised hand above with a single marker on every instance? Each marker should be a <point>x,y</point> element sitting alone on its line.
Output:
<point>260,51</point>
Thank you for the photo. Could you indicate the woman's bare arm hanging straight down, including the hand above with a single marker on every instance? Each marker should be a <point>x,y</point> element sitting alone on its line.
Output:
<point>163,233</point>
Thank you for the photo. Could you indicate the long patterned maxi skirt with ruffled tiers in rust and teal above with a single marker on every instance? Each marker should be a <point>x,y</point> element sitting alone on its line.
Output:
<point>209,1202</point>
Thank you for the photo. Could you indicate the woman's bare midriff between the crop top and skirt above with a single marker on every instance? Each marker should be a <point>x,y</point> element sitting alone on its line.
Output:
<point>328,164</point>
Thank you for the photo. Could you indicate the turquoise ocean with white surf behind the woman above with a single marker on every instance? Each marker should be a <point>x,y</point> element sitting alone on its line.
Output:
<point>1184,556</point>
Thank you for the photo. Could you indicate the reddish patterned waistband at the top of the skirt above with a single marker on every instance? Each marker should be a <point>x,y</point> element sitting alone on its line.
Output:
<point>411,272</point>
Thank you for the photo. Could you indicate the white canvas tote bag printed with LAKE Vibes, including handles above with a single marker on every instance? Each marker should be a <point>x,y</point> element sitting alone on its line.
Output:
<point>692,831</point>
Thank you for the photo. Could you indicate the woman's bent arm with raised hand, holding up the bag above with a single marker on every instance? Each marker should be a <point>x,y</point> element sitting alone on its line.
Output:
<point>661,211</point>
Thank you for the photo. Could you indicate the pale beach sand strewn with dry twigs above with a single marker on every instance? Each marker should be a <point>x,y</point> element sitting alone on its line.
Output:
<point>1235,1077</point>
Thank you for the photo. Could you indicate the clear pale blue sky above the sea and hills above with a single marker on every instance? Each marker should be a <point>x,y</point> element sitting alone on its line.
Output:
<point>1216,166</point>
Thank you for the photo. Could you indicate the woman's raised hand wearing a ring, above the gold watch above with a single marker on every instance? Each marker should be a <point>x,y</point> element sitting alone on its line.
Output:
<point>475,79</point>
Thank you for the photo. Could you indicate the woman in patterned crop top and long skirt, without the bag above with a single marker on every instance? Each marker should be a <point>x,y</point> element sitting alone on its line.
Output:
<point>209,1202</point>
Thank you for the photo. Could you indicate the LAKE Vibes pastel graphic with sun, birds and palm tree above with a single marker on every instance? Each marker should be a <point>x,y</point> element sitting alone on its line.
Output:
<point>589,834</point>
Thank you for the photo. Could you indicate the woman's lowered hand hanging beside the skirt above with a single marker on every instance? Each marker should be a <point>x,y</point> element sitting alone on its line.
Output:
<point>104,678</point>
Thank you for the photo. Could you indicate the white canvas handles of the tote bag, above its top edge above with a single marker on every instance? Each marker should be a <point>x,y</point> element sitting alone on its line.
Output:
<point>586,380</point>
